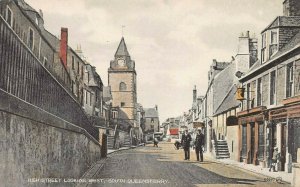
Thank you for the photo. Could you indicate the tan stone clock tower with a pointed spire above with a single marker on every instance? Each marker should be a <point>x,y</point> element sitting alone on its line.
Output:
<point>122,80</point>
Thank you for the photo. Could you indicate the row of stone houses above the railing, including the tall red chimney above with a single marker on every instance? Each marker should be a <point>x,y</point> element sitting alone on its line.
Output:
<point>66,65</point>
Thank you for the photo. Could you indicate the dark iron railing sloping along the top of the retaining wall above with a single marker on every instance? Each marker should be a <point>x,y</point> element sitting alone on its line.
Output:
<point>24,76</point>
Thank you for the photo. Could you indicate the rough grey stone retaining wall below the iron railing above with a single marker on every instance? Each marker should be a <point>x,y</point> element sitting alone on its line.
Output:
<point>37,144</point>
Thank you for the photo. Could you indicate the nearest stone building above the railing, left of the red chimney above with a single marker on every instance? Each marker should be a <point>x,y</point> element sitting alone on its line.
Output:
<point>28,24</point>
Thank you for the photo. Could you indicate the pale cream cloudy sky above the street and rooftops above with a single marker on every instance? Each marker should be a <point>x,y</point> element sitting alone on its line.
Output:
<point>173,42</point>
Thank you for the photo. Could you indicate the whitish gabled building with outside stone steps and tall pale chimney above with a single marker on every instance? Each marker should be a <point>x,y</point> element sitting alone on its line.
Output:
<point>219,104</point>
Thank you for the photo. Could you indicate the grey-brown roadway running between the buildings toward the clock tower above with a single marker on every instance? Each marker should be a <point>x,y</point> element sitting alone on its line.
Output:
<point>166,167</point>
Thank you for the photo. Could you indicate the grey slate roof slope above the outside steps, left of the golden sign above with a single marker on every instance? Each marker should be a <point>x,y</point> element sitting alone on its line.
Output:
<point>229,101</point>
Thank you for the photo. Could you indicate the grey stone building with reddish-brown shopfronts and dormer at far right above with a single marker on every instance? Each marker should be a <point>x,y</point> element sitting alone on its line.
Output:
<point>270,113</point>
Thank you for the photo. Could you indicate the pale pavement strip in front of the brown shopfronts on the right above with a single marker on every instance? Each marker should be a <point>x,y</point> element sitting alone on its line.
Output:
<point>280,175</point>
